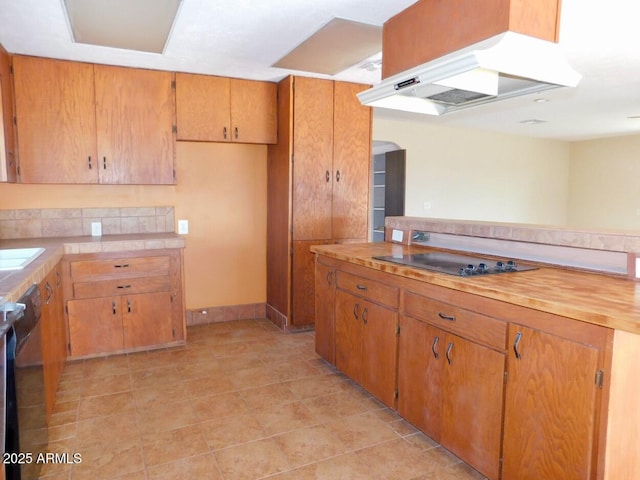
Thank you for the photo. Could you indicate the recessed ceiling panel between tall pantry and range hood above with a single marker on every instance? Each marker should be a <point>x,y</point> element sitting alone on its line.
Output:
<point>338,45</point>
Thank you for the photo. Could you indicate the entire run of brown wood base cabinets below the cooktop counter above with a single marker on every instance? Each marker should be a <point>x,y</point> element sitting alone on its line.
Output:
<point>517,393</point>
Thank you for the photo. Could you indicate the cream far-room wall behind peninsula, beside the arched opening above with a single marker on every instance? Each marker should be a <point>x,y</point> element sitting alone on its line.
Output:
<point>479,175</point>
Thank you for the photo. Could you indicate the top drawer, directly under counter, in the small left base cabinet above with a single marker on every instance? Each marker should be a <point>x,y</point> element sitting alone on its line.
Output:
<point>86,270</point>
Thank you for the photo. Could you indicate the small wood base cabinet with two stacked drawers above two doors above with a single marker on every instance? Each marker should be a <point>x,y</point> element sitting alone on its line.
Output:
<point>125,301</point>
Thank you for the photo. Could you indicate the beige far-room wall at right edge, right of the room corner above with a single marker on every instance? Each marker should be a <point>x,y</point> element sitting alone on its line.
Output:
<point>604,188</point>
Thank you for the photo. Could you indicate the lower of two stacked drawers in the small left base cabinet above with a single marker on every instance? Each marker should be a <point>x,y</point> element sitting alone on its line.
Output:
<point>122,286</point>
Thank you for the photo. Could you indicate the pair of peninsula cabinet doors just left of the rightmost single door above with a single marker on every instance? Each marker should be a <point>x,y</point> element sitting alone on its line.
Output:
<point>452,389</point>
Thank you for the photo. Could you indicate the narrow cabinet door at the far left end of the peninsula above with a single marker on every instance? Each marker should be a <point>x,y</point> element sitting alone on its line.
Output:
<point>325,293</point>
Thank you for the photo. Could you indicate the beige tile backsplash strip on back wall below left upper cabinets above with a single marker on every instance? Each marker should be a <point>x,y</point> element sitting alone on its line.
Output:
<point>76,222</point>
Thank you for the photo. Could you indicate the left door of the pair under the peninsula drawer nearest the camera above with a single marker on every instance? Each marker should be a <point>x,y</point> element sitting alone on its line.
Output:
<point>421,349</point>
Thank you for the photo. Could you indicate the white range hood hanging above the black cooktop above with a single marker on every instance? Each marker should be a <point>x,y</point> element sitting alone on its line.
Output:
<point>501,67</point>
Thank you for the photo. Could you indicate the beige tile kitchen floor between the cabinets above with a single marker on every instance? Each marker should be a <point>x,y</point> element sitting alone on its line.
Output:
<point>241,401</point>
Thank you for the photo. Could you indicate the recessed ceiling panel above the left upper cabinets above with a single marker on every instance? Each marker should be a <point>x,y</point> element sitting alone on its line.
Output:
<point>142,25</point>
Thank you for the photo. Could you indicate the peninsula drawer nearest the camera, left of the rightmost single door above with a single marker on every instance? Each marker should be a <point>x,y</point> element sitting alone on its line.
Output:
<point>465,323</point>
